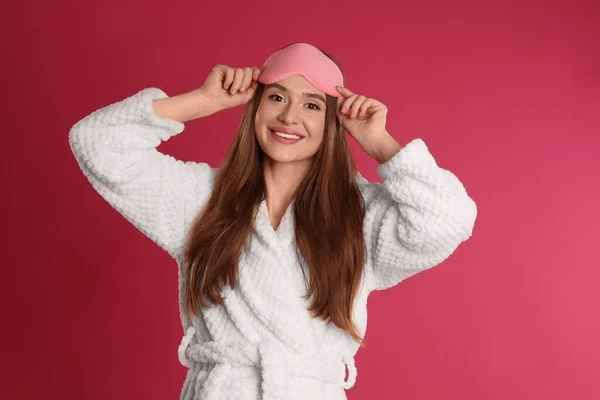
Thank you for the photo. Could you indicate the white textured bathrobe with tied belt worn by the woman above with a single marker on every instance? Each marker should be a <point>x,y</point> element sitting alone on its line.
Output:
<point>263,343</point>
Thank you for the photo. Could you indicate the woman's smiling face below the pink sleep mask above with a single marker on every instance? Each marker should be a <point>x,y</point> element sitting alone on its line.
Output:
<point>290,120</point>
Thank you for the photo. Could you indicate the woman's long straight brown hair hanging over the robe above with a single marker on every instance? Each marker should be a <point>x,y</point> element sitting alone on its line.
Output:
<point>327,203</point>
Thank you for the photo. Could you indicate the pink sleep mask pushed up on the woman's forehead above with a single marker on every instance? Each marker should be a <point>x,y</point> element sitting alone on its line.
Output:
<point>306,60</point>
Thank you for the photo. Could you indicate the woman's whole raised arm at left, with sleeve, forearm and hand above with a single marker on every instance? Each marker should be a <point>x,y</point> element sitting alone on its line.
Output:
<point>116,150</point>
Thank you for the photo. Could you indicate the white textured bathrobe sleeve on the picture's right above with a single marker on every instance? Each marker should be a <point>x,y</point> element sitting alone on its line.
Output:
<point>415,219</point>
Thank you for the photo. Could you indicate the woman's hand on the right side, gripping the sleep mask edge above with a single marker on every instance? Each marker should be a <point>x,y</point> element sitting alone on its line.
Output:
<point>364,118</point>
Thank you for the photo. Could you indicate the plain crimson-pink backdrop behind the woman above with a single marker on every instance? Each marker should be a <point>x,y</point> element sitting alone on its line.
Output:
<point>507,97</point>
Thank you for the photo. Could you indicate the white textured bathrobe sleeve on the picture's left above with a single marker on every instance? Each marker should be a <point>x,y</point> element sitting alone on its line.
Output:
<point>115,148</point>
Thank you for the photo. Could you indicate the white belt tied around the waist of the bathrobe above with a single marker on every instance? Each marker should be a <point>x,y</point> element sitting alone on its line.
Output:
<point>275,364</point>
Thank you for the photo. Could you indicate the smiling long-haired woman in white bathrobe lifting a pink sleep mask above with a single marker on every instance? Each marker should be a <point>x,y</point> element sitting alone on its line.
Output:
<point>278,248</point>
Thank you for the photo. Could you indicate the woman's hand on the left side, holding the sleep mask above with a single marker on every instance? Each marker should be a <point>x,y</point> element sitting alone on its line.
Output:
<point>228,87</point>
